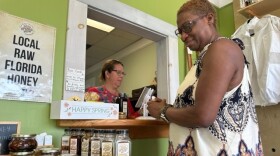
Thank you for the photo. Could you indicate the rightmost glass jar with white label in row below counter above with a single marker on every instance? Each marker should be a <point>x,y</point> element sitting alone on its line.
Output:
<point>122,143</point>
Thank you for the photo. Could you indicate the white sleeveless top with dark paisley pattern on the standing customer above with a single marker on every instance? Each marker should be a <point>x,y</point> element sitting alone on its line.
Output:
<point>235,131</point>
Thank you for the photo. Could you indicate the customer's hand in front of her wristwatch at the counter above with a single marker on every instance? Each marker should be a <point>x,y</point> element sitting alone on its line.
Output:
<point>155,106</point>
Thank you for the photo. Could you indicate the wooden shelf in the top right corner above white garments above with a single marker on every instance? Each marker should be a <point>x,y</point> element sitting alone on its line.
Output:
<point>260,8</point>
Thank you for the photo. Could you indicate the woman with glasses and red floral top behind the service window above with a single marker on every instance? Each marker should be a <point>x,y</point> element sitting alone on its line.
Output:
<point>112,74</point>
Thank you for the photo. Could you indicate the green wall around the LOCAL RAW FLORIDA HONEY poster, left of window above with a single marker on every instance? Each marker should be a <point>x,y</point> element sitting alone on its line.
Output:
<point>34,116</point>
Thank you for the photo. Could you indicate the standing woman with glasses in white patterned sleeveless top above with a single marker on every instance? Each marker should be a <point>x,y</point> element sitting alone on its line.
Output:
<point>214,106</point>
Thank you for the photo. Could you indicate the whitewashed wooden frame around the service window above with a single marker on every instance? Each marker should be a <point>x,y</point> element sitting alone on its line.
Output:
<point>132,20</point>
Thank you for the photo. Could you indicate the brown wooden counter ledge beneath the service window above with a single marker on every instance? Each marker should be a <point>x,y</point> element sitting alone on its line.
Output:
<point>138,129</point>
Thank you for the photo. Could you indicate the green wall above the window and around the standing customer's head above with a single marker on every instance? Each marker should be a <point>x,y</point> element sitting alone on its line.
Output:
<point>167,11</point>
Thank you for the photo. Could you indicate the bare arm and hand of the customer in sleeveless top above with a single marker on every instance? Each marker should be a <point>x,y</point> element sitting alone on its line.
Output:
<point>222,70</point>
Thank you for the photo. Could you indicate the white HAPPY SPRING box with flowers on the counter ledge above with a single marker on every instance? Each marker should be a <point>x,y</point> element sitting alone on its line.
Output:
<point>83,110</point>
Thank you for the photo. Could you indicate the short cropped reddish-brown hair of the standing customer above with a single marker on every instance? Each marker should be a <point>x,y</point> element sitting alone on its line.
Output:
<point>198,7</point>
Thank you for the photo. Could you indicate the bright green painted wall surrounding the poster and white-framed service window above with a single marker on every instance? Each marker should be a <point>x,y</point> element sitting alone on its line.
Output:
<point>34,116</point>
